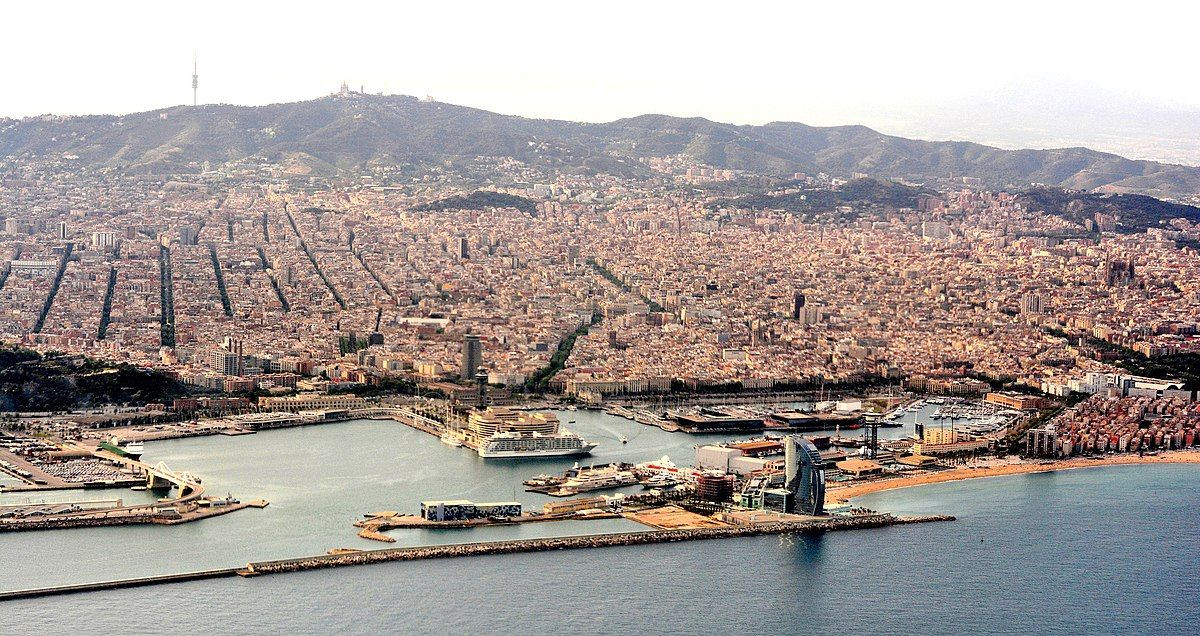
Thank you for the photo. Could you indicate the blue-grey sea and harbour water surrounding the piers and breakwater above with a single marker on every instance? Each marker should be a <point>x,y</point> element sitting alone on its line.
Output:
<point>1106,551</point>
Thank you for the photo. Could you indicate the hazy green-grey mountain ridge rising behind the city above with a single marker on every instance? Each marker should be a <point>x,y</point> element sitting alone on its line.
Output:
<point>352,133</point>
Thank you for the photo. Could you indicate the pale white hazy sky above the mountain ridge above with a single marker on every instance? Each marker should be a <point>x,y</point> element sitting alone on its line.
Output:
<point>742,62</point>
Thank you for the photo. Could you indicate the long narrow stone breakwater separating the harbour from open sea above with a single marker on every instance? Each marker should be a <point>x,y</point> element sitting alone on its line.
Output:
<point>491,548</point>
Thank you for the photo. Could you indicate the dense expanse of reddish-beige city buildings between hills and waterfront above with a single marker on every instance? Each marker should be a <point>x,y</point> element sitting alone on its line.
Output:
<point>352,283</point>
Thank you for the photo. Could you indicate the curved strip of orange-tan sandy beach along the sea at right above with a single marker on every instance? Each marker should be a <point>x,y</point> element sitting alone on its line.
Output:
<point>1015,467</point>
